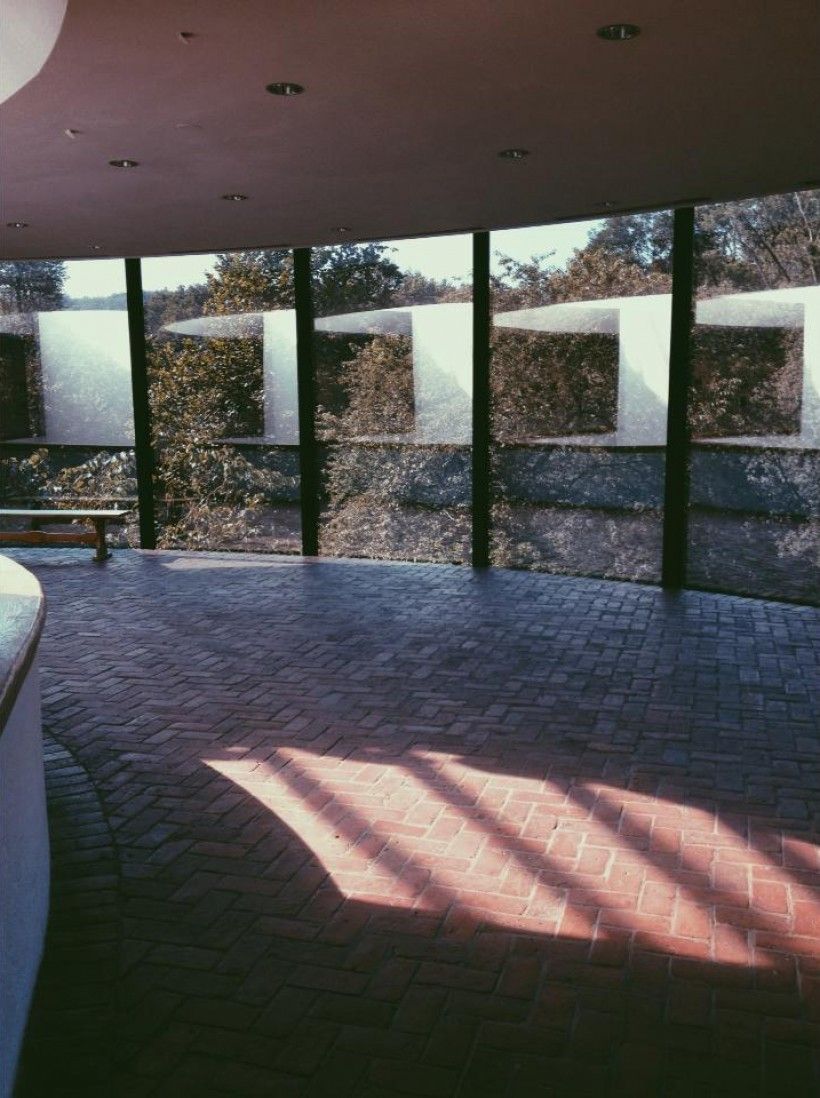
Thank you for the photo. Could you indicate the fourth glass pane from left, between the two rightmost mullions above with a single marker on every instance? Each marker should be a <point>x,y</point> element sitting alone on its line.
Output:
<point>579,393</point>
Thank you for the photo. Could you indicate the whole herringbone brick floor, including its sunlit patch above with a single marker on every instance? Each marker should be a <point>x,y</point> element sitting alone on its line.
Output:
<point>338,828</point>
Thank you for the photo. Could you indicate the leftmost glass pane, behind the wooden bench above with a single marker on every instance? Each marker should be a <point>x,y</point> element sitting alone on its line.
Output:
<point>66,416</point>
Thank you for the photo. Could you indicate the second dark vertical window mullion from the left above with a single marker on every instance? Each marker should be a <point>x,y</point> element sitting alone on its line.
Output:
<point>306,372</point>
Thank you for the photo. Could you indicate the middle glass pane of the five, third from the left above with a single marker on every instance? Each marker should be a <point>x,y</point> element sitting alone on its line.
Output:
<point>395,398</point>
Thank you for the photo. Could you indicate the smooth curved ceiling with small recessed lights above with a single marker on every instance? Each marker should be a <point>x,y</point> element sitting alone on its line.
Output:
<point>408,104</point>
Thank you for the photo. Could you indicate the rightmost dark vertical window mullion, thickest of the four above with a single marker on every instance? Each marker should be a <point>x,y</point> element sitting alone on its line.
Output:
<point>677,488</point>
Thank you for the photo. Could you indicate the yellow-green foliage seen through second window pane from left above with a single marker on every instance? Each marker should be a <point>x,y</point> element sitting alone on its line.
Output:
<point>204,391</point>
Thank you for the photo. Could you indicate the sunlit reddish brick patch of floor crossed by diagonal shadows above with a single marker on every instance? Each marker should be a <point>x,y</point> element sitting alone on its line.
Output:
<point>626,873</point>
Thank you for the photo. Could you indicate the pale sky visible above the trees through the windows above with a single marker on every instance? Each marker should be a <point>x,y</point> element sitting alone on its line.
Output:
<point>437,257</point>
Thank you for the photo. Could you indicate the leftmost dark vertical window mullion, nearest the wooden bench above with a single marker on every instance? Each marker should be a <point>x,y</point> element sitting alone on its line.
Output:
<point>143,447</point>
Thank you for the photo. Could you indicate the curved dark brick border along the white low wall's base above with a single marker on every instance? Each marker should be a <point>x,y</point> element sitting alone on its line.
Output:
<point>70,1043</point>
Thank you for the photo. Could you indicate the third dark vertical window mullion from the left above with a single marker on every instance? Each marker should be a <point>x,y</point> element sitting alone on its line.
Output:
<point>481,402</point>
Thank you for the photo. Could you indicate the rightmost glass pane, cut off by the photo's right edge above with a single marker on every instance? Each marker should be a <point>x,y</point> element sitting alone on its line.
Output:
<point>755,520</point>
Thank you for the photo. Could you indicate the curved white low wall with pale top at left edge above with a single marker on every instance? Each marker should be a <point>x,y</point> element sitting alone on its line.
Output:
<point>25,861</point>
